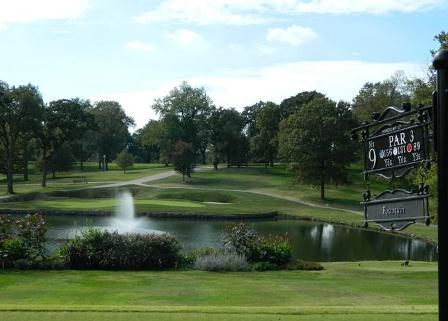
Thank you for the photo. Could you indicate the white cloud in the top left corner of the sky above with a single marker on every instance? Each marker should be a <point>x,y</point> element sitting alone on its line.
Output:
<point>25,11</point>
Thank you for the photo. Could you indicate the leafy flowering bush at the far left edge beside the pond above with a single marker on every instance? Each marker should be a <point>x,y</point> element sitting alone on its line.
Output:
<point>22,240</point>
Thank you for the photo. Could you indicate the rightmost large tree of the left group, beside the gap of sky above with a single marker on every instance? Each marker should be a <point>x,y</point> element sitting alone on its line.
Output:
<point>112,132</point>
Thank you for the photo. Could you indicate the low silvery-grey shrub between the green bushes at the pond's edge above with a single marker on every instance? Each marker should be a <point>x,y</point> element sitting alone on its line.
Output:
<point>221,262</point>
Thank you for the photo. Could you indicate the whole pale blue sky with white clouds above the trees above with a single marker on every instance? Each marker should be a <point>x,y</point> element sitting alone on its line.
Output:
<point>240,51</point>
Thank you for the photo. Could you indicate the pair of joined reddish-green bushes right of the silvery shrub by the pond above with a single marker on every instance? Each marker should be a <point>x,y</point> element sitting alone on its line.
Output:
<point>242,239</point>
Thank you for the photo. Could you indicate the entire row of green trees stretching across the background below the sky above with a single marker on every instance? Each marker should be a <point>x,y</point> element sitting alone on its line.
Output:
<point>308,131</point>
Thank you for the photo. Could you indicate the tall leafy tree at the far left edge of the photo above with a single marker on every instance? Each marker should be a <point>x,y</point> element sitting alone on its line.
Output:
<point>20,112</point>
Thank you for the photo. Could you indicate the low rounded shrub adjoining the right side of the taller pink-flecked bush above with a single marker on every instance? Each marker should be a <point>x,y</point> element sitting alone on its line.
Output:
<point>272,249</point>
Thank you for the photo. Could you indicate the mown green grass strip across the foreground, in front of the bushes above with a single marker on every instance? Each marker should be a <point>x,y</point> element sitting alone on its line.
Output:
<point>343,291</point>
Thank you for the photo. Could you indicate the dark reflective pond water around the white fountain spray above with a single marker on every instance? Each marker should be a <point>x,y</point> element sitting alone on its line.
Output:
<point>311,241</point>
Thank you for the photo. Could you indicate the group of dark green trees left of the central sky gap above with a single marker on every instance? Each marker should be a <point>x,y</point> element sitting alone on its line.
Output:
<point>56,134</point>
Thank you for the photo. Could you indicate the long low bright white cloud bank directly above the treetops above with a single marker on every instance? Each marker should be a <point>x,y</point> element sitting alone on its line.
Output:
<point>239,88</point>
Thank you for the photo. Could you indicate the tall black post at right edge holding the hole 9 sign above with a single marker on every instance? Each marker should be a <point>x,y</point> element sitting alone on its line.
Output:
<point>440,63</point>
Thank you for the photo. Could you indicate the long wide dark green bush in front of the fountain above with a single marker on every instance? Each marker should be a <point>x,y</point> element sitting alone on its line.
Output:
<point>97,249</point>
